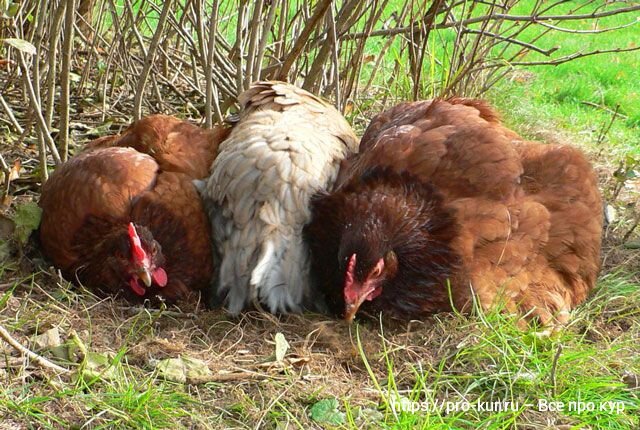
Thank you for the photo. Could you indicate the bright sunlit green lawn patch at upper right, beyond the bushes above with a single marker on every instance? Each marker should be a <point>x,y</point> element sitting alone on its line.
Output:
<point>580,96</point>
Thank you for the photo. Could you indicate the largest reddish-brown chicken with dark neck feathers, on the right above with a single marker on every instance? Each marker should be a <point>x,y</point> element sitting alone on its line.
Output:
<point>444,204</point>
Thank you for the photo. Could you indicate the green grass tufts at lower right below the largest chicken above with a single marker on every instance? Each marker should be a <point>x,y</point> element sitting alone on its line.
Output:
<point>494,363</point>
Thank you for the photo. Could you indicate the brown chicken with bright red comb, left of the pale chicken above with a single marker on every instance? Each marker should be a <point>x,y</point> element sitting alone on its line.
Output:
<point>130,221</point>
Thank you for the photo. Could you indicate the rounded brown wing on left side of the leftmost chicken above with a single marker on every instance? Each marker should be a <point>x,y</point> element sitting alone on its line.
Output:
<point>101,183</point>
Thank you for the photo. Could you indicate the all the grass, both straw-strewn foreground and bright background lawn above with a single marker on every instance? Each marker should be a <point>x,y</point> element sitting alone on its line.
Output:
<point>450,368</point>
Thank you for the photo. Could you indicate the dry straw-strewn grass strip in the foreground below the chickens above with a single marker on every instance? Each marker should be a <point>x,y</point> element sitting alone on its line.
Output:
<point>457,370</point>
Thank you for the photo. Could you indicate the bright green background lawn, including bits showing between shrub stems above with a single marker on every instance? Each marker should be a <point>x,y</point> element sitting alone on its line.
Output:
<point>577,98</point>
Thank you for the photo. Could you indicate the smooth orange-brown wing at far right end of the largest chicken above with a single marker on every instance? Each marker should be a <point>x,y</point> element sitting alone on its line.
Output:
<point>561,179</point>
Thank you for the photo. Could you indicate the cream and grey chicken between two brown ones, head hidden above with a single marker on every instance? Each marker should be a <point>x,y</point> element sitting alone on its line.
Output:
<point>287,145</point>
